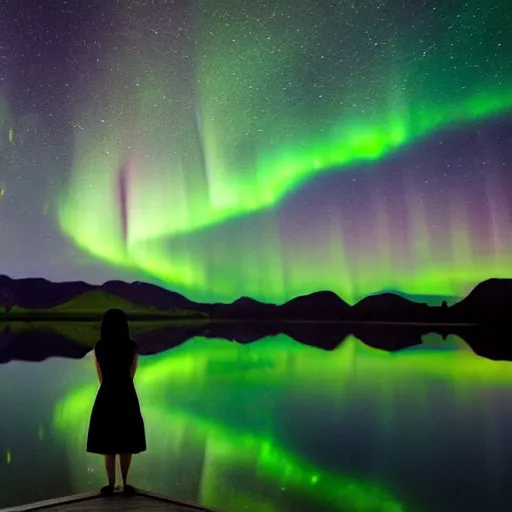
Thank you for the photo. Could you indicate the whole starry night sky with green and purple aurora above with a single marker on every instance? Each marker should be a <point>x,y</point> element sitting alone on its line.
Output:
<point>224,148</point>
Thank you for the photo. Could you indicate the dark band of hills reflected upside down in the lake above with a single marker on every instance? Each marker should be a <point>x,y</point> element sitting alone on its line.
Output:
<point>36,341</point>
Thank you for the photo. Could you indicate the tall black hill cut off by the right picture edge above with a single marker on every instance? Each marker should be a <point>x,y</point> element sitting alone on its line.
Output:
<point>488,302</point>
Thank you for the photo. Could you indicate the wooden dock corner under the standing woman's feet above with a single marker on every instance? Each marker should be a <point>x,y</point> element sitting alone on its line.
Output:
<point>93,501</point>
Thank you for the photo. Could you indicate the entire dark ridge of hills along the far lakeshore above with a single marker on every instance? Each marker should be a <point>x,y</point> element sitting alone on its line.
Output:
<point>488,302</point>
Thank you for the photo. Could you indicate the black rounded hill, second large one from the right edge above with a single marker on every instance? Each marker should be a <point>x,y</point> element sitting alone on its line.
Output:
<point>388,307</point>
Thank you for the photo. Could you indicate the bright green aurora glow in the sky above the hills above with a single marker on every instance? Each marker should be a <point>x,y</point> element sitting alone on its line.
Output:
<point>187,176</point>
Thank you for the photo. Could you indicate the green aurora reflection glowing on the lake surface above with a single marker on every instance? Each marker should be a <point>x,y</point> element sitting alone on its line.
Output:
<point>184,418</point>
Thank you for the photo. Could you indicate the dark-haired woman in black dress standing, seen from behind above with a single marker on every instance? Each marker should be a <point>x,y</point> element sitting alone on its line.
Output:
<point>116,426</point>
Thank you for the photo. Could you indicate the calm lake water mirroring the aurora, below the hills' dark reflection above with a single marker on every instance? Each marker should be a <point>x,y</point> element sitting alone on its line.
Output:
<point>277,426</point>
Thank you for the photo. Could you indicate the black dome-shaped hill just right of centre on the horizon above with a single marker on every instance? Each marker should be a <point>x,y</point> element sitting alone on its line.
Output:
<point>316,306</point>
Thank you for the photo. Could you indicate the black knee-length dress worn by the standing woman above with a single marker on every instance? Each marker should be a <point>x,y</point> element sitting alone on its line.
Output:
<point>116,424</point>
